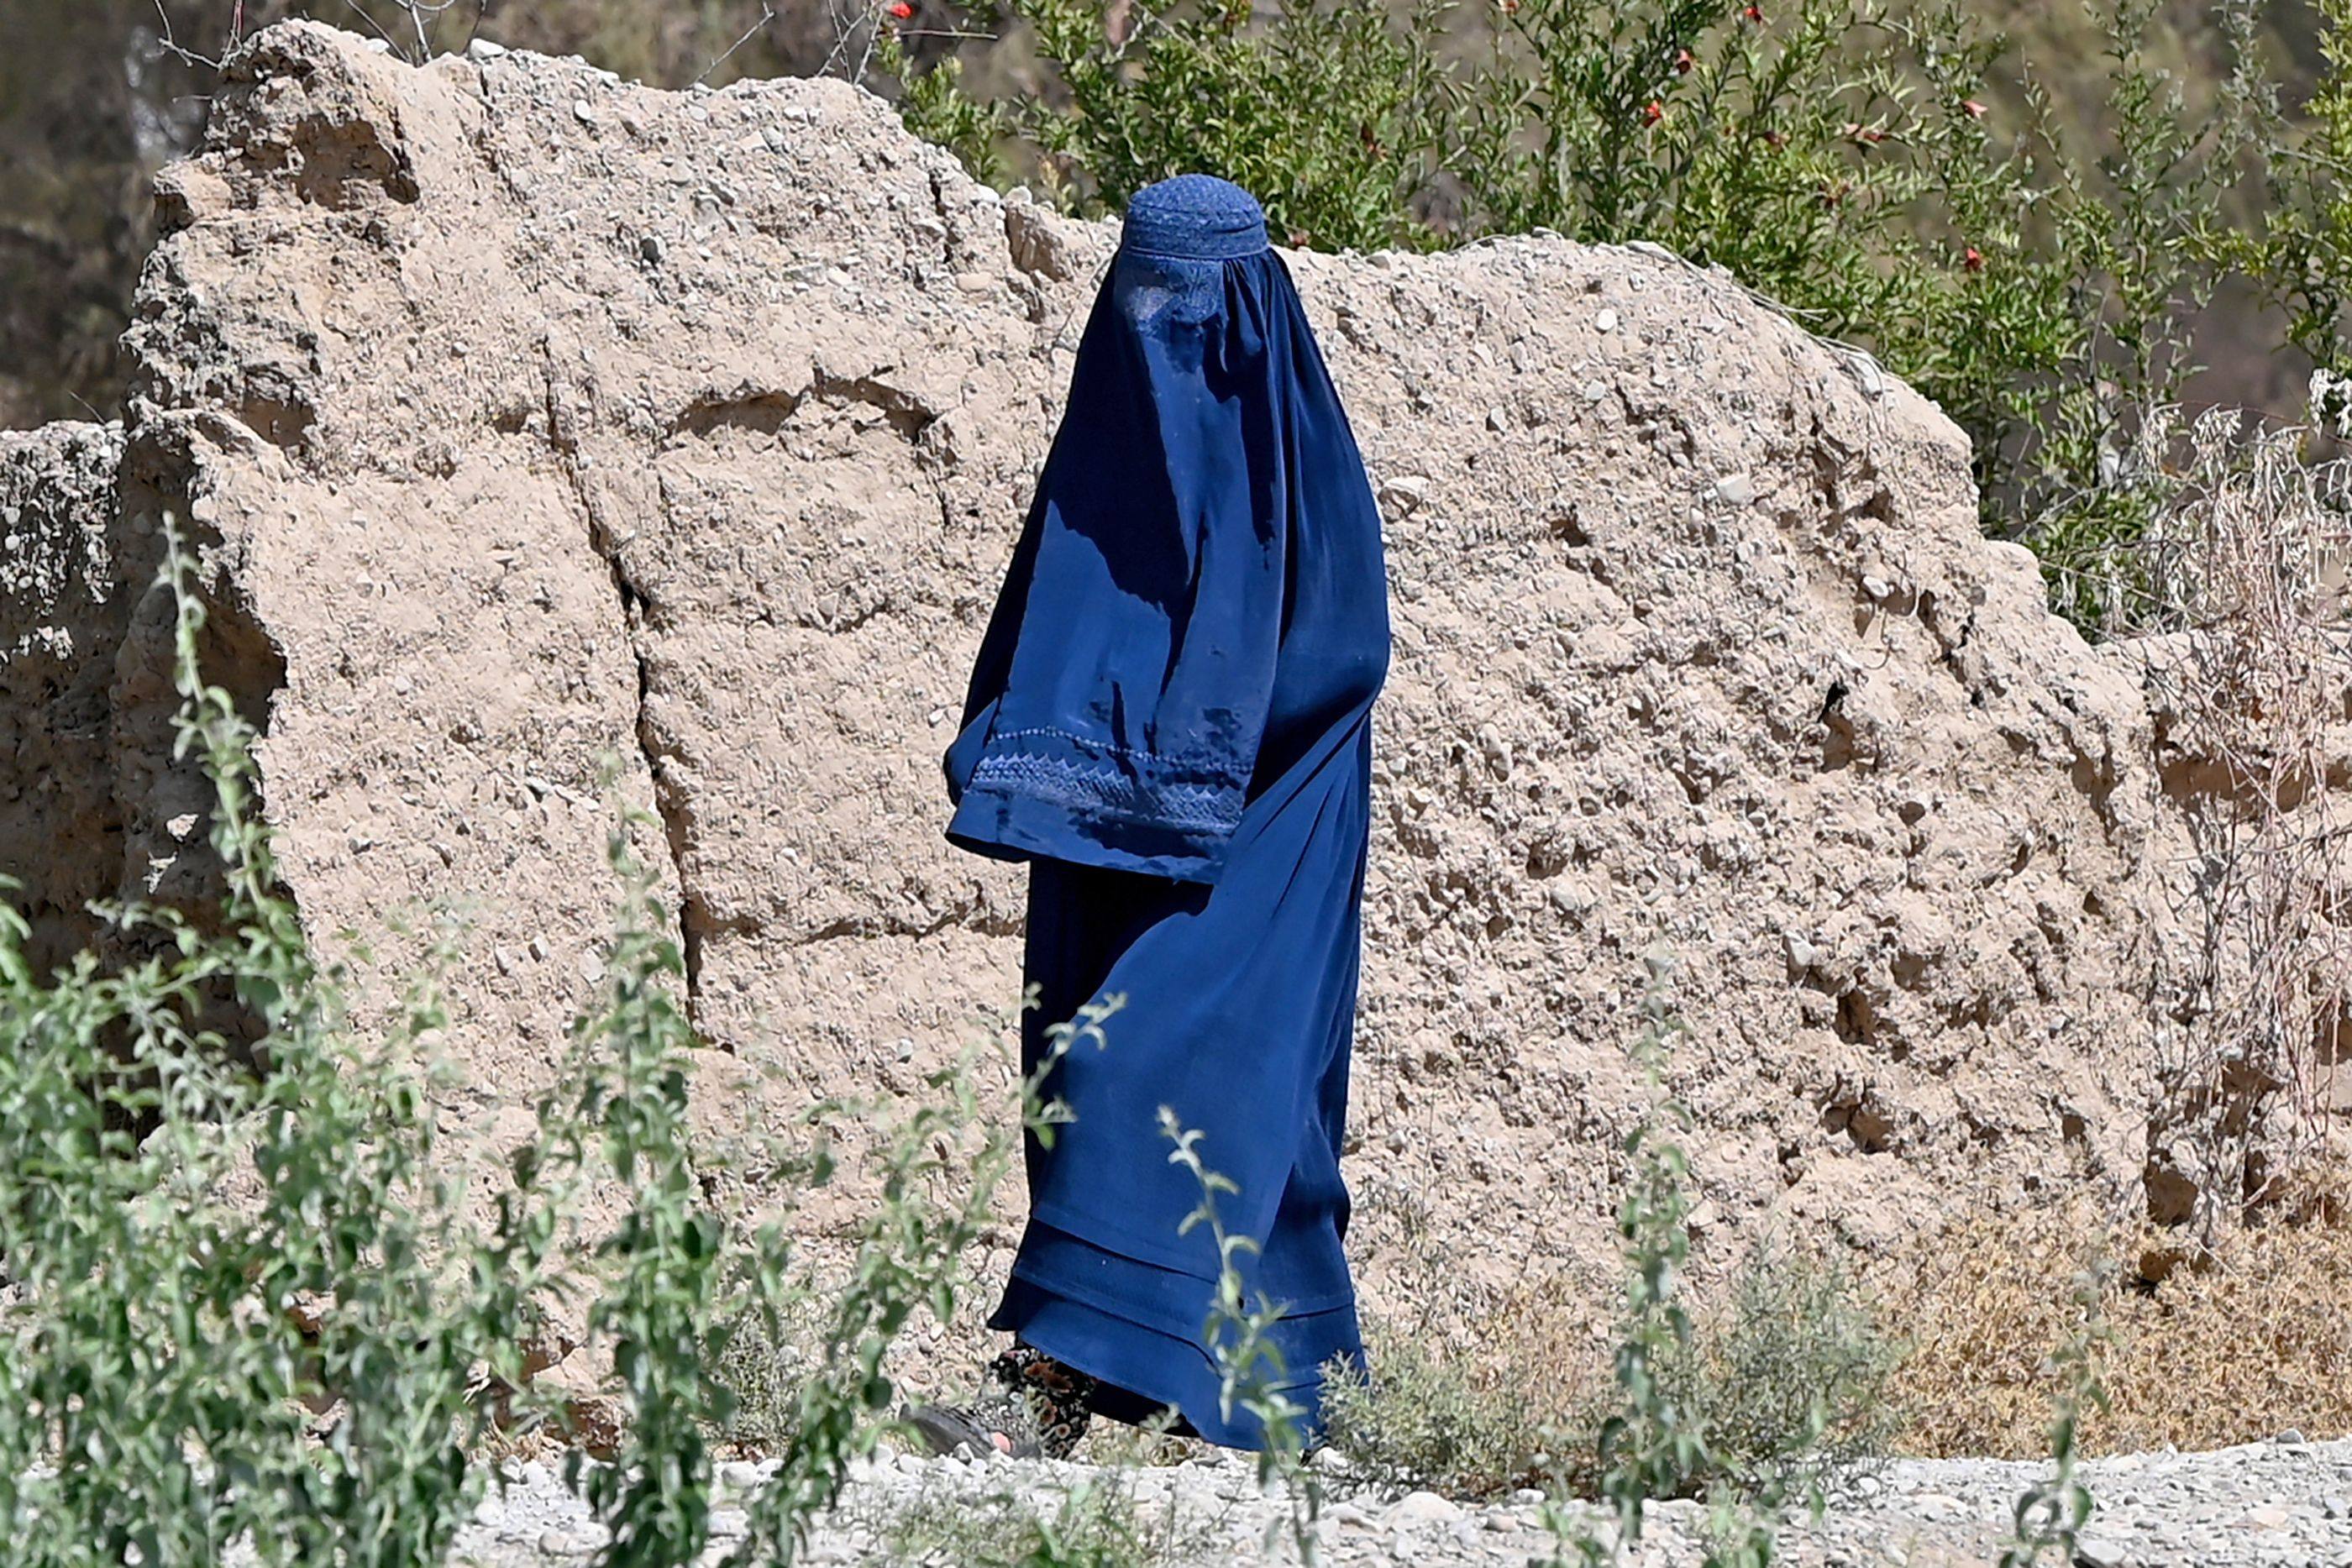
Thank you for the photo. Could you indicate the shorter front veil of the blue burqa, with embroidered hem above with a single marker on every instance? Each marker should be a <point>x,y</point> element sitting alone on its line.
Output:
<point>1123,688</point>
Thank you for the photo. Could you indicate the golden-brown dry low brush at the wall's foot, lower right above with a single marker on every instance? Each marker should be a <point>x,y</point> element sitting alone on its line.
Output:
<point>2236,1346</point>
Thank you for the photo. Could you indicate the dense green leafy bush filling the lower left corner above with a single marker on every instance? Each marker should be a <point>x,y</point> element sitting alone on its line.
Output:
<point>239,1301</point>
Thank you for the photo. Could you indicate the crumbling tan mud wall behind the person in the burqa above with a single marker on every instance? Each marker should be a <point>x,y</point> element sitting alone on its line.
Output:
<point>533,420</point>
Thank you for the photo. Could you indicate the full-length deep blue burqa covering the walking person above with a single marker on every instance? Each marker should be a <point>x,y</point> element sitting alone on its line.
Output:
<point>1170,721</point>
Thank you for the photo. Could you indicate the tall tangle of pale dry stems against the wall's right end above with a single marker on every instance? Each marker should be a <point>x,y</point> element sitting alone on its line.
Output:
<point>2243,577</point>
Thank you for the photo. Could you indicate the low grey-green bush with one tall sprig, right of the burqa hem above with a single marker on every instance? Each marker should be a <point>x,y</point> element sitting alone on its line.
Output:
<point>1760,1402</point>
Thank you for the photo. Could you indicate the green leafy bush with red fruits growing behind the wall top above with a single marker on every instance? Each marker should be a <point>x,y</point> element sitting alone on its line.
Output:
<point>1857,161</point>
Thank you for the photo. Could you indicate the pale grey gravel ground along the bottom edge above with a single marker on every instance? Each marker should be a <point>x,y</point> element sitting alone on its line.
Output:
<point>2278,1506</point>
